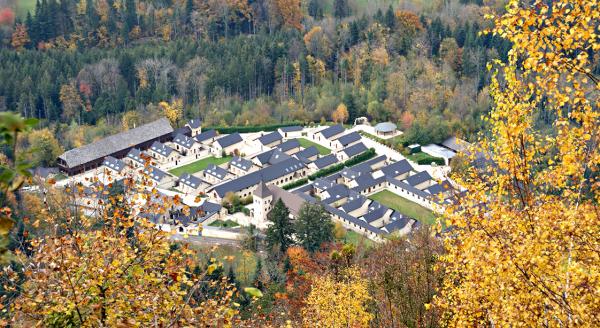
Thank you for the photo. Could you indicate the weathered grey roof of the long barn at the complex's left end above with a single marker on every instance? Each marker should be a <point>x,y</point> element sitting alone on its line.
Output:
<point>115,143</point>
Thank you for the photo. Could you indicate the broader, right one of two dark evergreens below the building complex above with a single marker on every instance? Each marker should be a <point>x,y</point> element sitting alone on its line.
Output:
<point>313,227</point>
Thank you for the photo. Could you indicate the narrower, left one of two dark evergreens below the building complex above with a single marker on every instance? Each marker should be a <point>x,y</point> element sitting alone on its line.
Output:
<point>279,234</point>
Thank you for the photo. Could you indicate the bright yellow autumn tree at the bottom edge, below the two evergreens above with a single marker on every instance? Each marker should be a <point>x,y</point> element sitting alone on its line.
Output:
<point>338,301</point>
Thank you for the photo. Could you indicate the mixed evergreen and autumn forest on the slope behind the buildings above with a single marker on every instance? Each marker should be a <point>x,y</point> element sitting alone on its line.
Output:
<point>74,64</point>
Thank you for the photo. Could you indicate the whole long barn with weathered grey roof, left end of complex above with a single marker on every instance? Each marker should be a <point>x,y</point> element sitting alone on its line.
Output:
<point>90,156</point>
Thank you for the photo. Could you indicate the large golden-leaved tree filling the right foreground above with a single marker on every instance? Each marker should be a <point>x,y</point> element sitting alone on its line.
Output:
<point>525,248</point>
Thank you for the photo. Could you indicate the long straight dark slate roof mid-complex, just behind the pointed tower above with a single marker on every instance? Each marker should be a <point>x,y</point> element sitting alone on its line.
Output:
<point>267,174</point>
